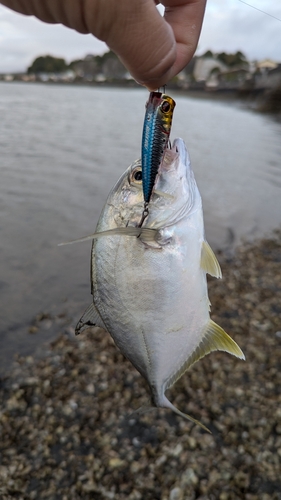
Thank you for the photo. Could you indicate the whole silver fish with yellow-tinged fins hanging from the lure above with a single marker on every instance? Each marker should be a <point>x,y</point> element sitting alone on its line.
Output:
<point>149,283</point>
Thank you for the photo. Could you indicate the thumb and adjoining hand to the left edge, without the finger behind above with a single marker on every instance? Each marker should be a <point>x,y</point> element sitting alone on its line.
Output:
<point>133,29</point>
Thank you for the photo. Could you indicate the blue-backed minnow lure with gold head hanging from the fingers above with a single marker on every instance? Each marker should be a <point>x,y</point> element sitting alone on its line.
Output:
<point>155,137</point>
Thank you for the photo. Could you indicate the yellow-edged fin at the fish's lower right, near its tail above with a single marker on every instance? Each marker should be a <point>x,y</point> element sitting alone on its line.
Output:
<point>214,339</point>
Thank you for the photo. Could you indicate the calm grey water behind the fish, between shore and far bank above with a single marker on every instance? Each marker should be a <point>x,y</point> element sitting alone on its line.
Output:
<point>63,147</point>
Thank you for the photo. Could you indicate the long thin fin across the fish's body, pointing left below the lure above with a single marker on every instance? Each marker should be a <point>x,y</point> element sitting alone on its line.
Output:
<point>147,234</point>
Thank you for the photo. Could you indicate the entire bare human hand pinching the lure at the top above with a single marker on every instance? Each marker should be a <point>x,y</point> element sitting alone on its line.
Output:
<point>154,49</point>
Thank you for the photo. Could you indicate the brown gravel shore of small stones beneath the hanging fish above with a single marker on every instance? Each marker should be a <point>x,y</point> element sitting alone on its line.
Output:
<point>68,432</point>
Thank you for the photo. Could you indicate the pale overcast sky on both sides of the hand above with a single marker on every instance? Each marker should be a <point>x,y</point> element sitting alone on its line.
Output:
<point>229,25</point>
